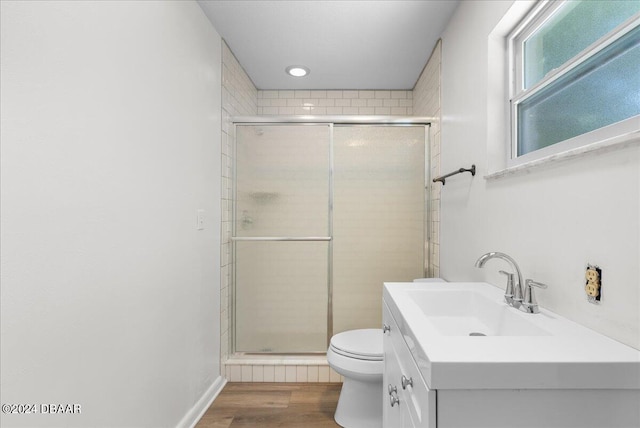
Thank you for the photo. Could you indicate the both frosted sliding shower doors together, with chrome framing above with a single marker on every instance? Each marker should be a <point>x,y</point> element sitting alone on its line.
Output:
<point>323,213</point>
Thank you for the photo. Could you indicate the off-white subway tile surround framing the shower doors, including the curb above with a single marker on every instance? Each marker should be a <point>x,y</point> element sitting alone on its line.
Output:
<point>240,97</point>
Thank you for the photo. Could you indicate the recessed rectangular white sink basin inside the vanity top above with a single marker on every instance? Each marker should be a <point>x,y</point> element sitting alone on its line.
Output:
<point>471,313</point>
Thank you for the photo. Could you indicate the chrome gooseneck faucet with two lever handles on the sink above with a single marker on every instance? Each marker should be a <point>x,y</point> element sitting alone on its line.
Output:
<point>514,291</point>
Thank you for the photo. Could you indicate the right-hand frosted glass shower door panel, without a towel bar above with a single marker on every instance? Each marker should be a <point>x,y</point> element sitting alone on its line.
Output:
<point>378,223</point>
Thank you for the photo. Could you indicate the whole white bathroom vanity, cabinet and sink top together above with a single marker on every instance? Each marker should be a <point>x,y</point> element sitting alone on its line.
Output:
<point>456,355</point>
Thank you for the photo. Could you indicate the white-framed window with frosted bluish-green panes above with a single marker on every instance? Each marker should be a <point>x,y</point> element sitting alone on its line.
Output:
<point>574,76</point>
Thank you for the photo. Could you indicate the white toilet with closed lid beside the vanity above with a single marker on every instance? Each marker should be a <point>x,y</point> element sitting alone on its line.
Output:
<point>357,355</point>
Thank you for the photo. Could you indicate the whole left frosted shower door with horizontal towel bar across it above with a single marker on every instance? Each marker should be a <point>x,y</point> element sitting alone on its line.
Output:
<point>281,238</point>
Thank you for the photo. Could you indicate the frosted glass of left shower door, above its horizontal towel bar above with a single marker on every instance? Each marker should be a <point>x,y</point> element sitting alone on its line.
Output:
<point>282,180</point>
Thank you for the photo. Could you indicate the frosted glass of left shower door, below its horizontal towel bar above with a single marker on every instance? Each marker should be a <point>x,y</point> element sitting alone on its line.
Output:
<point>281,297</point>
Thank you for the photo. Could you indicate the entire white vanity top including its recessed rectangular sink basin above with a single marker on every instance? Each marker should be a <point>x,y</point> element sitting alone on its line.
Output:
<point>464,336</point>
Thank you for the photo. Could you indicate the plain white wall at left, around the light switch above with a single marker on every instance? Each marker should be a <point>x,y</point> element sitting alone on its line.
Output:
<point>110,139</point>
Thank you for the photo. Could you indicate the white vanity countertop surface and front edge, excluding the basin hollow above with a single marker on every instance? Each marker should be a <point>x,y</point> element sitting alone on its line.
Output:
<point>566,356</point>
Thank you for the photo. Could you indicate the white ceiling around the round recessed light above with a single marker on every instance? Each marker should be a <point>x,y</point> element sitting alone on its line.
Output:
<point>346,44</point>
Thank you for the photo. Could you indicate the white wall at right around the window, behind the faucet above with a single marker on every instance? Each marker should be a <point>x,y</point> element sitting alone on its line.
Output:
<point>553,220</point>
